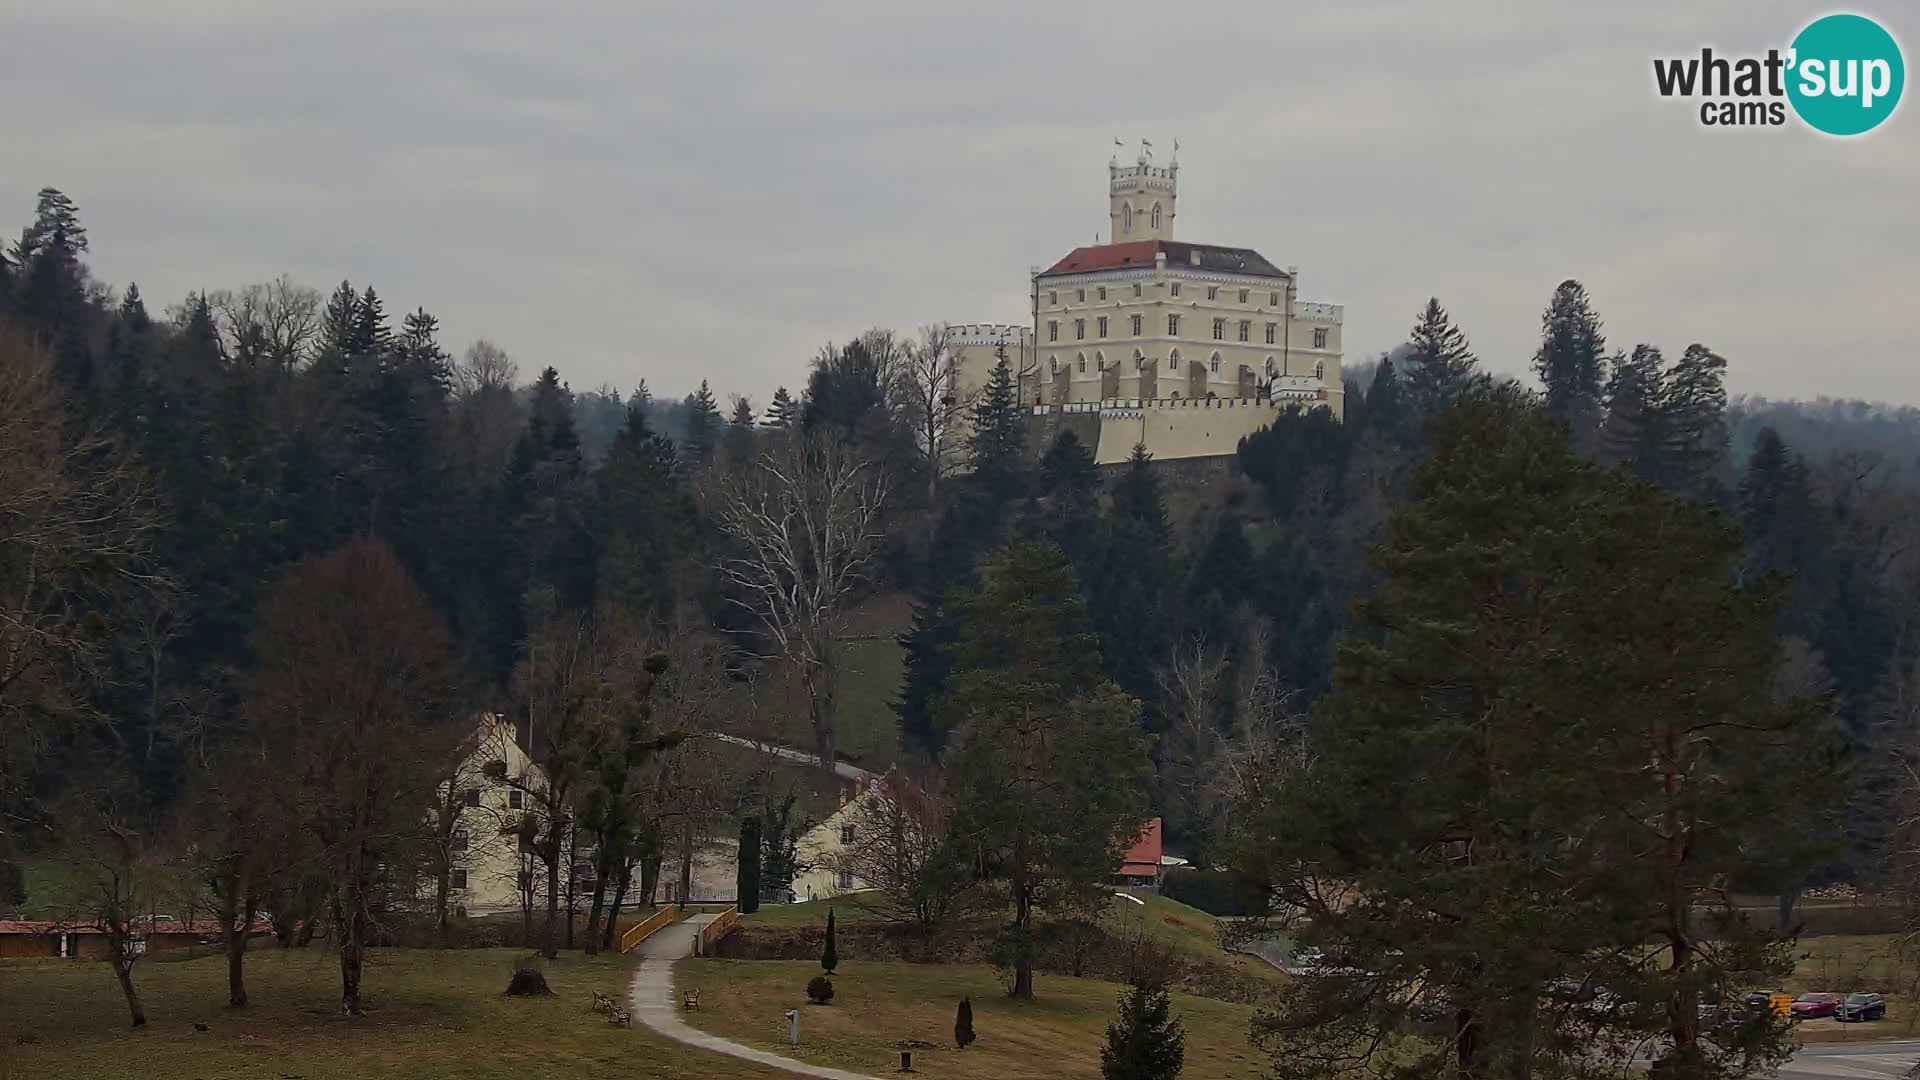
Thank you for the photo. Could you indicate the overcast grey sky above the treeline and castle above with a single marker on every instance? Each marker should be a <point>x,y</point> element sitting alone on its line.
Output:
<point>717,189</point>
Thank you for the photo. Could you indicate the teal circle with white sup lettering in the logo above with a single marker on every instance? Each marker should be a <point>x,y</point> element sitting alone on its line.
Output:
<point>1846,74</point>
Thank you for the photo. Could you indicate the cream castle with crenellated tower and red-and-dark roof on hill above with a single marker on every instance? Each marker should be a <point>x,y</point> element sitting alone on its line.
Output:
<point>1153,341</point>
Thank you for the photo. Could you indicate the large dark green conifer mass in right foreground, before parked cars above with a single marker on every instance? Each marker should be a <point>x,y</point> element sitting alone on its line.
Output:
<point>1529,781</point>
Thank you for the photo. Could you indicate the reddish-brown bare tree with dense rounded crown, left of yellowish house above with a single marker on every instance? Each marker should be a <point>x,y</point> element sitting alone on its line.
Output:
<point>360,699</point>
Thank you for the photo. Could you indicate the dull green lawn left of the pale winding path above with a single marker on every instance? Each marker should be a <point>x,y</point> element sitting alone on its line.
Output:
<point>435,1016</point>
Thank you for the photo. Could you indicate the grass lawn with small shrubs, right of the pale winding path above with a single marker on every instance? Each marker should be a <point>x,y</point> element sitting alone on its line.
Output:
<point>878,1006</point>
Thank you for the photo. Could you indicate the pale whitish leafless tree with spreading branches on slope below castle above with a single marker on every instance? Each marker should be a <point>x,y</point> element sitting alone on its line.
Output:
<point>804,524</point>
